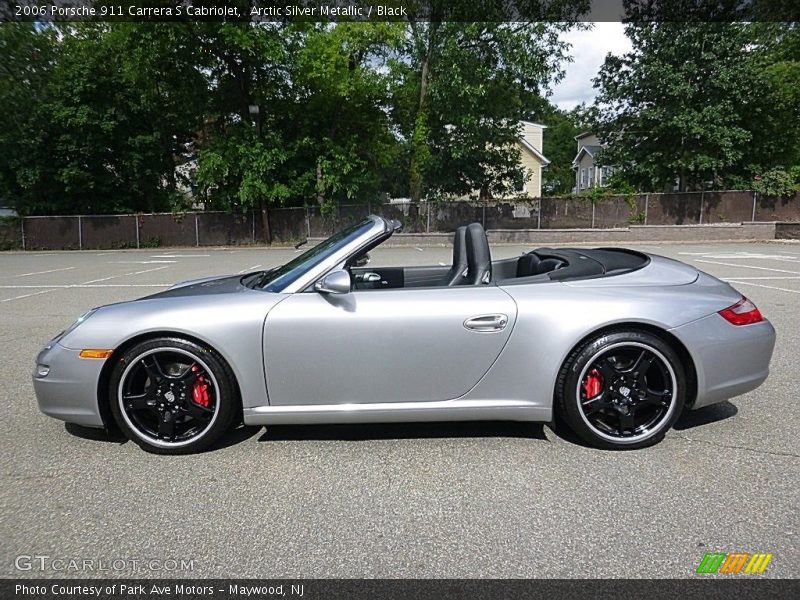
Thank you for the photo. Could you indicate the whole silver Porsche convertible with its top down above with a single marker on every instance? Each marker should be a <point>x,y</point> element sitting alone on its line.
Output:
<point>613,342</point>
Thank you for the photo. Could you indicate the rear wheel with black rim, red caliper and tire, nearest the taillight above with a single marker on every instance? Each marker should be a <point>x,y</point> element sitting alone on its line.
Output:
<point>621,390</point>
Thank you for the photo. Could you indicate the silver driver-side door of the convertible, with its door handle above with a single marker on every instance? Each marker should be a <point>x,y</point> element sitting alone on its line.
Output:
<point>404,345</point>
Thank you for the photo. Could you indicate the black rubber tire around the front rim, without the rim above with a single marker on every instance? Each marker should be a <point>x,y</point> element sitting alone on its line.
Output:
<point>227,401</point>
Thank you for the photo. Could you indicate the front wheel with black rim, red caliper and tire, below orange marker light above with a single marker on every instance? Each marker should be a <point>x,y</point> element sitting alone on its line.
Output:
<point>172,396</point>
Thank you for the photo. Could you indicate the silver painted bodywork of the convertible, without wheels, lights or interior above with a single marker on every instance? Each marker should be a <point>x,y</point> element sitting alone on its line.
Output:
<point>393,355</point>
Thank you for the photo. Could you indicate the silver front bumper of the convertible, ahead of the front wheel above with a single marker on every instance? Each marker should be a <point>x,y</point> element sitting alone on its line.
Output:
<point>69,391</point>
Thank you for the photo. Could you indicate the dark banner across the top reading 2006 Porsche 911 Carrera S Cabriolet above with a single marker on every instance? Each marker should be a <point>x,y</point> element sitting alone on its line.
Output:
<point>399,10</point>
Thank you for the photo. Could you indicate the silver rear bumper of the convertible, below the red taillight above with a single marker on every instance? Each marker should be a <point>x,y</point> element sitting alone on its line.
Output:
<point>729,360</point>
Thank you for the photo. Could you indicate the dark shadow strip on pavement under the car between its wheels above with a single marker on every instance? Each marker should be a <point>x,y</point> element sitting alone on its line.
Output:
<point>402,431</point>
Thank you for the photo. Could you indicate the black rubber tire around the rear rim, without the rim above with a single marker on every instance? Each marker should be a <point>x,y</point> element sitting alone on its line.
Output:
<point>568,402</point>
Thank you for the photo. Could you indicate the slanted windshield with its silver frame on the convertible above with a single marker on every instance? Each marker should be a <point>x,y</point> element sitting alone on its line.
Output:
<point>313,264</point>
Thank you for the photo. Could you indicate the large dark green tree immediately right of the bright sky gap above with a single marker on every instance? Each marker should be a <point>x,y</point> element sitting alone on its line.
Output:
<point>680,105</point>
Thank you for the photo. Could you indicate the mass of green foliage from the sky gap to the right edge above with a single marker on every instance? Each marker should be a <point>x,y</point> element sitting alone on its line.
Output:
<point>701,104</point>
